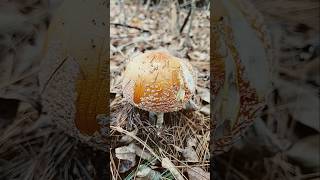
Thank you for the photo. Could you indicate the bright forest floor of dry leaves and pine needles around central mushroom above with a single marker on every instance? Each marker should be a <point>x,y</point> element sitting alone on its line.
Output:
<point>183,146</point>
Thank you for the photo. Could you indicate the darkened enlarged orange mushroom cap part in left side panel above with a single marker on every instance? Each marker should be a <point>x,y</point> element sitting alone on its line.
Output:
<point>75,93</point>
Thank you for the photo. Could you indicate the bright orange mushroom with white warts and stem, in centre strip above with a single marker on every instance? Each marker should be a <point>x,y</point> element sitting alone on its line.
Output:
<point>158,82</point>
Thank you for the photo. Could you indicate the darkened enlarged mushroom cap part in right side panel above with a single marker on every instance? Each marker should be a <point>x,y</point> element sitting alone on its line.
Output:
<point>242,54</point>
